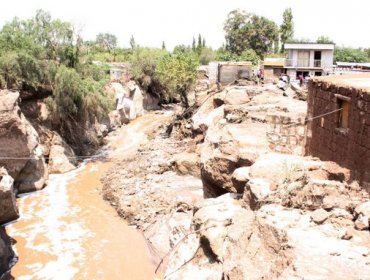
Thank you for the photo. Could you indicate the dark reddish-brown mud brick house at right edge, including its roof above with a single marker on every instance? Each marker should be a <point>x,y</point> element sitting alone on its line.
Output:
<point>339,107</point>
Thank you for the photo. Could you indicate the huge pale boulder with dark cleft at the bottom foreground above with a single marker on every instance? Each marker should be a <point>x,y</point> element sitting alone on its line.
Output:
<point>230,244</point>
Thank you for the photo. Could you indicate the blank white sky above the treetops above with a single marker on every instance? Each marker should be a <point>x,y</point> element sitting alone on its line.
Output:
<point>176,22</point>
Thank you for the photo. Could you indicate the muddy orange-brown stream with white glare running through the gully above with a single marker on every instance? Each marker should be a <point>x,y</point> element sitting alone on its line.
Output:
<point>67,231</point>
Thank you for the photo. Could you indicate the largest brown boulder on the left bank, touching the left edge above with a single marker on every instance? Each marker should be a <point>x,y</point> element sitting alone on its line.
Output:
<point>21,153</point>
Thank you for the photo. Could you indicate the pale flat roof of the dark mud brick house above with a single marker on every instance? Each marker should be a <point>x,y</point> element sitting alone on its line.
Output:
<point>358,81</point>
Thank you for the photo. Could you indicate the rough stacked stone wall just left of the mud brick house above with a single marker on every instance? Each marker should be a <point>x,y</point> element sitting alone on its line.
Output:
<point>286,134</point>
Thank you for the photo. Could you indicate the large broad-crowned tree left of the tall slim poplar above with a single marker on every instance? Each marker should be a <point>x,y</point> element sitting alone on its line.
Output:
<point>249,31</point>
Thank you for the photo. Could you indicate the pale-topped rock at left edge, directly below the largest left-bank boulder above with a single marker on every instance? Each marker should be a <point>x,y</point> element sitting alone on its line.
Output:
<point>8,205</point>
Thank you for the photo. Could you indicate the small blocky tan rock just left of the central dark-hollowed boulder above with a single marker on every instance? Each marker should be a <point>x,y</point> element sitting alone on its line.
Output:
<point>187,163</point>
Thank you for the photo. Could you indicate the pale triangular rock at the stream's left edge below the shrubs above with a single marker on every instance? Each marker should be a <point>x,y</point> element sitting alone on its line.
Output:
<point>61,158</point>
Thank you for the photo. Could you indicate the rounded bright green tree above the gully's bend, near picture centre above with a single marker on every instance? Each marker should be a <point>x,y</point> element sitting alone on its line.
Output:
<point>178,73</point>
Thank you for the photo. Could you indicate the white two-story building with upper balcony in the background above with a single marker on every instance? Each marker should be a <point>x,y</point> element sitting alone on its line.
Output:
<point>308,59</point>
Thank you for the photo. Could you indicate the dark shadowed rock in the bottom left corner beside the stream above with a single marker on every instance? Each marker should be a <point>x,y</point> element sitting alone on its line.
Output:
<point>7,256</point>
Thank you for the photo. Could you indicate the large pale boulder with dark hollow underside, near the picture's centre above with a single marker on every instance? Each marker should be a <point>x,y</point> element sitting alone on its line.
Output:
<point>225,149</point>
